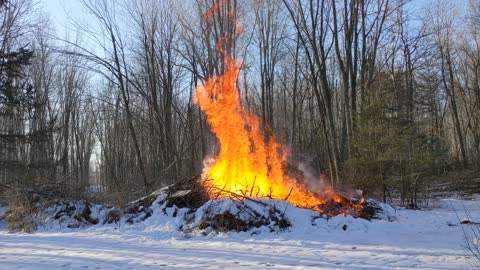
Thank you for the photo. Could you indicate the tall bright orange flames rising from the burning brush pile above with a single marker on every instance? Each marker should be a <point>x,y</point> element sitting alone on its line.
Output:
<point>249,164</point>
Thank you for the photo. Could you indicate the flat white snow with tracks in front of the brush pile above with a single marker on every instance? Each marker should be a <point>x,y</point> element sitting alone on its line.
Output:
<point>417,239</point>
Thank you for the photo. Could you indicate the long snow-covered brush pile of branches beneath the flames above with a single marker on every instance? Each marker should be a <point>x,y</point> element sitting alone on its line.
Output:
<point>185,205</point>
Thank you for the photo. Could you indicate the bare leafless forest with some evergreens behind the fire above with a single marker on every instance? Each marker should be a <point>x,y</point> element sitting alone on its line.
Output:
<point>377,95</point>
